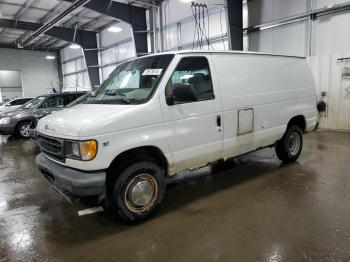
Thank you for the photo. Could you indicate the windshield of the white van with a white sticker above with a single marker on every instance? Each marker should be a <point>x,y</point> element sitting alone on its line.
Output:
<point>132,82</point>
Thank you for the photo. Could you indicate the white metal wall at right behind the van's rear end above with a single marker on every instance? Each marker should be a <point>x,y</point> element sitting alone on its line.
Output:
<point>330,40</point>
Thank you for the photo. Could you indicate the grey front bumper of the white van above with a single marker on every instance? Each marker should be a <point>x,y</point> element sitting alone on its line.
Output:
<point>71,181</point>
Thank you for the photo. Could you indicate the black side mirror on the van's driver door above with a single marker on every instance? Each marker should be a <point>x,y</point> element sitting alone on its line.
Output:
<point>181,93</point>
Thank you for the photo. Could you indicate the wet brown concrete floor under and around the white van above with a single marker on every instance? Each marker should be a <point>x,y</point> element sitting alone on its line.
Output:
<point>255,209</point>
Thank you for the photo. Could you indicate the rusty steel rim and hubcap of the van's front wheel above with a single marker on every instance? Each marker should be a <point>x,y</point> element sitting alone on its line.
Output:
<point>141,193</point>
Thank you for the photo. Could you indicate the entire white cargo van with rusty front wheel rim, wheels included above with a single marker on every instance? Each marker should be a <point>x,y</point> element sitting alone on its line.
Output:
<point>161,114</point>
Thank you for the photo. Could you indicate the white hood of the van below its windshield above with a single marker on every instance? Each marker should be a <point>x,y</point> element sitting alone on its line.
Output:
<point>89,120</point>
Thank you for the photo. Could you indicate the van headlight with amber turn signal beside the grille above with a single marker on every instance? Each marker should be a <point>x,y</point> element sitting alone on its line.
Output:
<point>85,150</point>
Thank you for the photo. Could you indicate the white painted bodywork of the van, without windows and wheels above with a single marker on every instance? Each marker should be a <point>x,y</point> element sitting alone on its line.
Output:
<point>256,96</point>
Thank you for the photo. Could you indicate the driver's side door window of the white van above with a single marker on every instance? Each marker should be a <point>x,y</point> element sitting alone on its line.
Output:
<point>192,73</point>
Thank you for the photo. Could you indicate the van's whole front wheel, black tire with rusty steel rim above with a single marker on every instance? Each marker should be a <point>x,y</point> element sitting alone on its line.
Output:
<point>137,191</point>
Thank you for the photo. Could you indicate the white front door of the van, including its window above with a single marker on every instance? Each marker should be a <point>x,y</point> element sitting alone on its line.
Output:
<point>194,129</point>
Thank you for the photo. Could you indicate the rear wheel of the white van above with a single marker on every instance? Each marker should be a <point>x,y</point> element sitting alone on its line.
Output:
<point>288,149</point>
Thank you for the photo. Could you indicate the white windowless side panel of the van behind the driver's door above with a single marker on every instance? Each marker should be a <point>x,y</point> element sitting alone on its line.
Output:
<point>276,88</point>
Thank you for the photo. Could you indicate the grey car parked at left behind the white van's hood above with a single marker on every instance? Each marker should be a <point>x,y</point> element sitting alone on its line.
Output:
<point>18,122</point>
